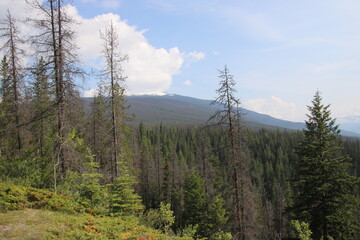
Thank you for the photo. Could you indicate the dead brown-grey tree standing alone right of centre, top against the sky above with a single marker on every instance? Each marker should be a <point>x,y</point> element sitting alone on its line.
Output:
<point>242,193</point>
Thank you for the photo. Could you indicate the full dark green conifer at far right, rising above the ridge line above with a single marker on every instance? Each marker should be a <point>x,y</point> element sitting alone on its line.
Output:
<point>324,187</point>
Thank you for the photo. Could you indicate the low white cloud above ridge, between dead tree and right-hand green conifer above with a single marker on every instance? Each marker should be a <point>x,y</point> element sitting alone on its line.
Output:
<point>275,107</point>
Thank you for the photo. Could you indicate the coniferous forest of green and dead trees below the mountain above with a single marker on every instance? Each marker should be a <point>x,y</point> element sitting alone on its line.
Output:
<point>121,180</point>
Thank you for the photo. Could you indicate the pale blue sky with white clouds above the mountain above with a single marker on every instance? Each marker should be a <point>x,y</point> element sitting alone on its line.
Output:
<point>280,52</point>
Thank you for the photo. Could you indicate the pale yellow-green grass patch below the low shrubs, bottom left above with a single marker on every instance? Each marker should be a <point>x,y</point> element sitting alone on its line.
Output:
<point>46,224</point>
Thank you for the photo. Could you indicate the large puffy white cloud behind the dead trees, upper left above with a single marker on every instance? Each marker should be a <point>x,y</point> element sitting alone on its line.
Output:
<point>149,70</point>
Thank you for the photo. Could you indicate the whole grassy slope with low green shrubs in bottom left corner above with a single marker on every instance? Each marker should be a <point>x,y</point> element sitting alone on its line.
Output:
<point>30,213</point>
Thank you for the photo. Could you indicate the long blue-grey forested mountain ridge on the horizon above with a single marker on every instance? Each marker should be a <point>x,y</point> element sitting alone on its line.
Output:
<point>180,109</point>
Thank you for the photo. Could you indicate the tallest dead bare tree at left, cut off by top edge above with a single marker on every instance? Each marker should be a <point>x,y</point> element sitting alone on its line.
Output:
<point>54,41</point>
